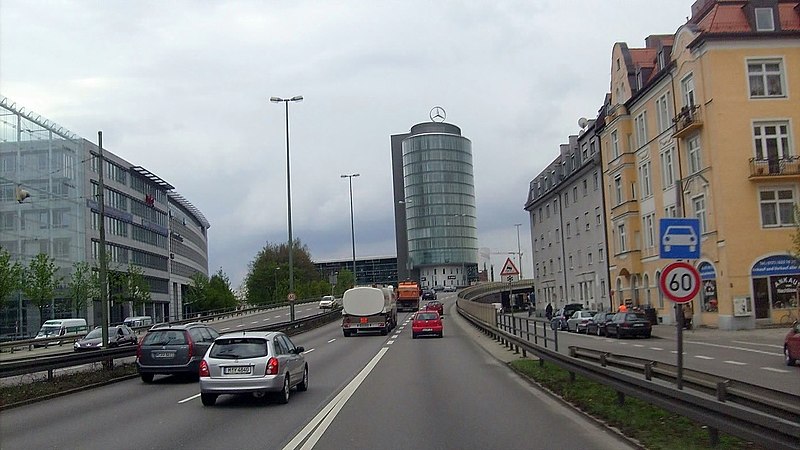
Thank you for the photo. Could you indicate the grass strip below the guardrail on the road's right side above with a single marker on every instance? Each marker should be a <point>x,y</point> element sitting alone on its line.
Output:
<point>653,427</point>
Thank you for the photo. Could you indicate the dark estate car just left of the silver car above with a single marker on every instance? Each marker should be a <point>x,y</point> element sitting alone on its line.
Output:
<point>173,349</point>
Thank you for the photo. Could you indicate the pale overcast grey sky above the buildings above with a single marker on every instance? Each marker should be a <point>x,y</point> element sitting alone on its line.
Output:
<point>182,88</point>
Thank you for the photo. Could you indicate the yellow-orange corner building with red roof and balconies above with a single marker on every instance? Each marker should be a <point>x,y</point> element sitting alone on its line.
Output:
<point>704,123</point>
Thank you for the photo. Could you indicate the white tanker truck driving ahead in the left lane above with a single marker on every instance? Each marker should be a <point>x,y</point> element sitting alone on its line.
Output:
<point>368,309</point>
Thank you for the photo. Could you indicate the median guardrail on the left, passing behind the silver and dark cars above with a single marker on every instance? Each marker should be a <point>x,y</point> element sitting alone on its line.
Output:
<point>107,356</point>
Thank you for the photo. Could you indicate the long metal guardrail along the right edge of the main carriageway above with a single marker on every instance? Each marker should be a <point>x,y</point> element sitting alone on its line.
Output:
<point>758,414</point>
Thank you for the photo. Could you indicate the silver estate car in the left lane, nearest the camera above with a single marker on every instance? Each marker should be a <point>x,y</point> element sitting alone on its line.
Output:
<point>254,363</point>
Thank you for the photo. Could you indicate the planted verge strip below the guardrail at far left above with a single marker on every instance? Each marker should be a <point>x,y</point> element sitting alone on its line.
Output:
<point>27,391</point>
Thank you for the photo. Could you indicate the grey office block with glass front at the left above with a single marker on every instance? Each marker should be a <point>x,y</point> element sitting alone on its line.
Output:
<point>147,224</point>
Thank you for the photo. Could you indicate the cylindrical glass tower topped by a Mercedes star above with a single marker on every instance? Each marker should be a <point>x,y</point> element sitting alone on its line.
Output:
<point>434,199</point>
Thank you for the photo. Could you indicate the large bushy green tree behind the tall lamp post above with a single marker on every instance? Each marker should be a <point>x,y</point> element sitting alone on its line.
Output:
<point>267,279</point>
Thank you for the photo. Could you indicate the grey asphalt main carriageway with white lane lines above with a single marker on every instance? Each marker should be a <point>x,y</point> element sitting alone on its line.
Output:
<point>365,392</point>
